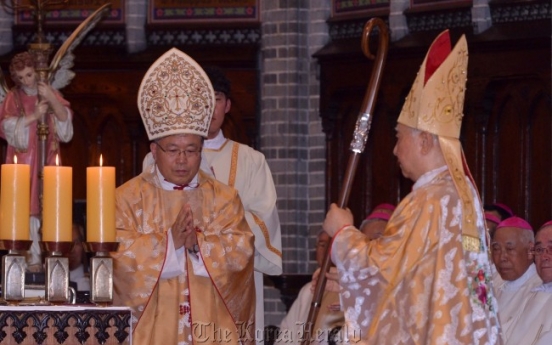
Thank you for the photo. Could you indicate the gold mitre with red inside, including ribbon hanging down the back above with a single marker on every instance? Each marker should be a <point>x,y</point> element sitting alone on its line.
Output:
<point>435,104</point>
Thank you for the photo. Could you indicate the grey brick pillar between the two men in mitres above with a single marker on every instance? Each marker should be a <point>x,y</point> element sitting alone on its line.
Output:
<point>290,128</point>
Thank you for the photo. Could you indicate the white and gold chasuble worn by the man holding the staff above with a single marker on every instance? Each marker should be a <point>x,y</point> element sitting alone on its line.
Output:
<point>416,284</point>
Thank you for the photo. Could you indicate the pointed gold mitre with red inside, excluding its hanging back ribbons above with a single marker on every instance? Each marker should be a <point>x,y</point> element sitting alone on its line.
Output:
<point>435,103</point>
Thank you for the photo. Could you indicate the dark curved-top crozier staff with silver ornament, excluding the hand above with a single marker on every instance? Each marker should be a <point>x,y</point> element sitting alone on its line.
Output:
<point>360,136</point>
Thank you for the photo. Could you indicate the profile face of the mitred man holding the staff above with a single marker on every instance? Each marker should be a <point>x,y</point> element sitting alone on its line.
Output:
<point>405,150</point>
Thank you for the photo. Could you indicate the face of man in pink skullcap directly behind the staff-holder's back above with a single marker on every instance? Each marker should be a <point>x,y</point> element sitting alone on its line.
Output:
<point>510,251</point>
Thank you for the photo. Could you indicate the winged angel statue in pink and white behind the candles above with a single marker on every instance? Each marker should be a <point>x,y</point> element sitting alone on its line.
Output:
<point>31,101</point>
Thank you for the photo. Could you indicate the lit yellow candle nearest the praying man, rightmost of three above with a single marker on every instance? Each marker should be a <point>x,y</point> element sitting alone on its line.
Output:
<point>100,204</point>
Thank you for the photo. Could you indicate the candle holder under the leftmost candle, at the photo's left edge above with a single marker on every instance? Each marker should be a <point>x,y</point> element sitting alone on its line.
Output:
<point>13,270</point>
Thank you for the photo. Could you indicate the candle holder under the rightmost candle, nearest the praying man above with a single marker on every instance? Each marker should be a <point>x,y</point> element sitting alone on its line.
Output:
<point>101,271</point>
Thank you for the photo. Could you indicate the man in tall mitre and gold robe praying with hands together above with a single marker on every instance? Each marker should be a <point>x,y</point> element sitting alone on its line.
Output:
<point>185,260</point>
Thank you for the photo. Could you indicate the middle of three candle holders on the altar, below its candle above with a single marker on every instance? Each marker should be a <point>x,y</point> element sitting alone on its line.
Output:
<point>57,271</point>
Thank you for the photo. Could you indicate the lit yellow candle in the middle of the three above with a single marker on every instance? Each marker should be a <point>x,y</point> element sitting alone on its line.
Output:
<point>57,215</point>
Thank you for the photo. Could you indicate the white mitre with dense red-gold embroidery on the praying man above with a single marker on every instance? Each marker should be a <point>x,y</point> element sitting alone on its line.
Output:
<point>176,97</point>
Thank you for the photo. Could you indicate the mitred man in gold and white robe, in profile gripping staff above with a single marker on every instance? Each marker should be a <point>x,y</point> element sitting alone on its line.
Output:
<point>426,280</point>
